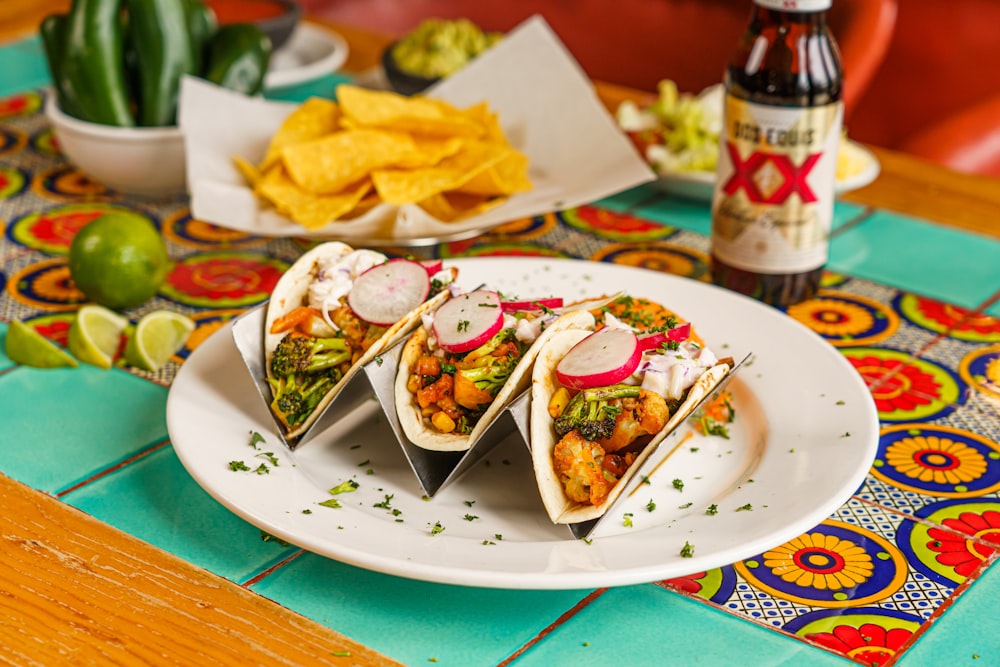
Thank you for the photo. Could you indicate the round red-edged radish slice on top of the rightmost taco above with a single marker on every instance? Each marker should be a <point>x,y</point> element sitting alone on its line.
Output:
<point>603,358</point>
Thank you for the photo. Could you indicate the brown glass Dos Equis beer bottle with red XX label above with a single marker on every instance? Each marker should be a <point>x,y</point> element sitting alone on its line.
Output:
<point>773,199</point>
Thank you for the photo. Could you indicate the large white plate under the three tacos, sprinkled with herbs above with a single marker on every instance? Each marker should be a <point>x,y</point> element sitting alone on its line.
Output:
<point>795,404</point>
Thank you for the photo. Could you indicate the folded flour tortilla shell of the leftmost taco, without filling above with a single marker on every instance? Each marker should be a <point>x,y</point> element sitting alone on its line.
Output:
<point>292,291</point>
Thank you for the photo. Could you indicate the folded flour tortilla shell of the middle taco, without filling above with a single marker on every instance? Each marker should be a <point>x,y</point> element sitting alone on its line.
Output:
<point>408,410</point>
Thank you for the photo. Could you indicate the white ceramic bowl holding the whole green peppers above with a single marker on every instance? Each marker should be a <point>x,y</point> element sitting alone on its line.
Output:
<point>145,161</point>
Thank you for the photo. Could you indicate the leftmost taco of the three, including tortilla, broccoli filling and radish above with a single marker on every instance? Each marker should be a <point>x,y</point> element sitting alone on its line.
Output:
<point>332,312</point>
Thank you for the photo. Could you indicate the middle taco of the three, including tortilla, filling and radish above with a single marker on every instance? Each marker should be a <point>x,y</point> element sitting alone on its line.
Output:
<point>470,359</point>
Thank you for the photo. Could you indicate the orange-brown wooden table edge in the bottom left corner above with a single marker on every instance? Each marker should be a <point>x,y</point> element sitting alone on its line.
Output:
<point>76,588</point>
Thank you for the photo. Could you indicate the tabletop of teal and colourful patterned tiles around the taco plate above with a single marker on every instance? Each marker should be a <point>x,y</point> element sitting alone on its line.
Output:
<point>912,304</point>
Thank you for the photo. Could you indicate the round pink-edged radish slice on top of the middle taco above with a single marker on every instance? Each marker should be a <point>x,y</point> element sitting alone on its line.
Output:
<point>467,321</point>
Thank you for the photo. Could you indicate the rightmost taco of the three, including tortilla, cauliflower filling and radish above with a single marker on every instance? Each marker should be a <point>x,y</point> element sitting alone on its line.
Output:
<point>601,403</point>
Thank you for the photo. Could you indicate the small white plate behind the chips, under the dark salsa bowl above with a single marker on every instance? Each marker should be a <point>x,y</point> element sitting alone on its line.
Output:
<point>311,52</point>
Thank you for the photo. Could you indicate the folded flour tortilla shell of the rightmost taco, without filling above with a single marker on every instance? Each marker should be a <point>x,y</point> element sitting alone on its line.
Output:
<point>543,437</point>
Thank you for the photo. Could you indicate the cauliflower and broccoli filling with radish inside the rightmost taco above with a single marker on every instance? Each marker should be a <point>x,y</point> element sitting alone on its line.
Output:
<point>605,411</point>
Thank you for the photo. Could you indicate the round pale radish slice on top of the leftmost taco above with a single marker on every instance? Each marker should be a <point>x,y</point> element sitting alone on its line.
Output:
<point>384,294</point>
